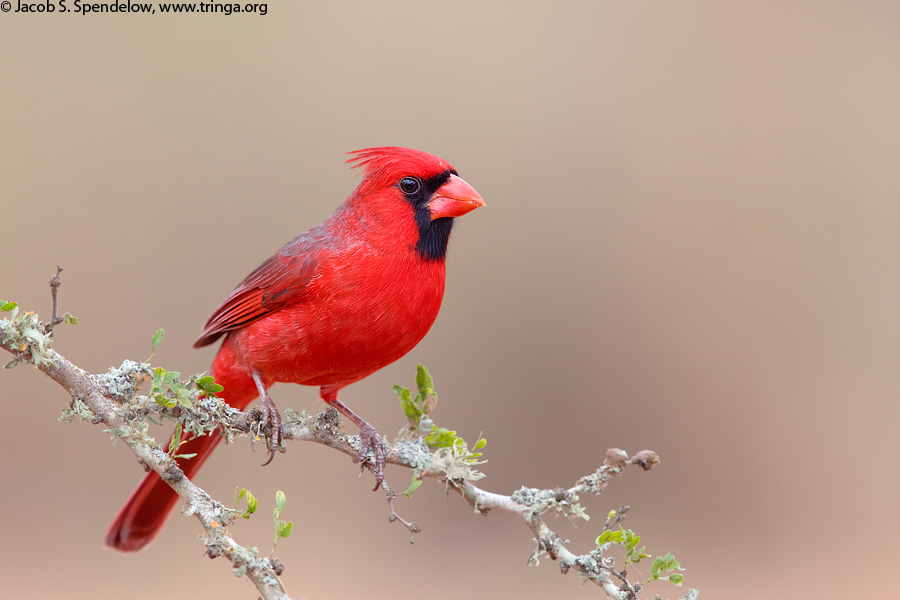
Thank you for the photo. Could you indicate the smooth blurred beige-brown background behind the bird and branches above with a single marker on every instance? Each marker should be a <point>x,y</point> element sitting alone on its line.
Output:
<point>690,245</point>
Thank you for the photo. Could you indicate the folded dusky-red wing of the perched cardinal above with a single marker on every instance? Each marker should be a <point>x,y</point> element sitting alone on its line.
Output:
<point>280,280</point>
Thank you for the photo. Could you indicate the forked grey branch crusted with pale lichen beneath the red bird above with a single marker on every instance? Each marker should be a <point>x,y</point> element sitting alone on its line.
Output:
<point>113,399</point>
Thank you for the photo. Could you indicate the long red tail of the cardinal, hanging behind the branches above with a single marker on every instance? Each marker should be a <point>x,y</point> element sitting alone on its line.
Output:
<point>150,503</point>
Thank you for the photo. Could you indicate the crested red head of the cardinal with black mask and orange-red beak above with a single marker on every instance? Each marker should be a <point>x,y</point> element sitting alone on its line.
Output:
<point>401,178</point>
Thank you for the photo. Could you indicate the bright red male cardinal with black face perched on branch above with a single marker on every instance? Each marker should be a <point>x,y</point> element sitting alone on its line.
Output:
<point>334,305</point>
